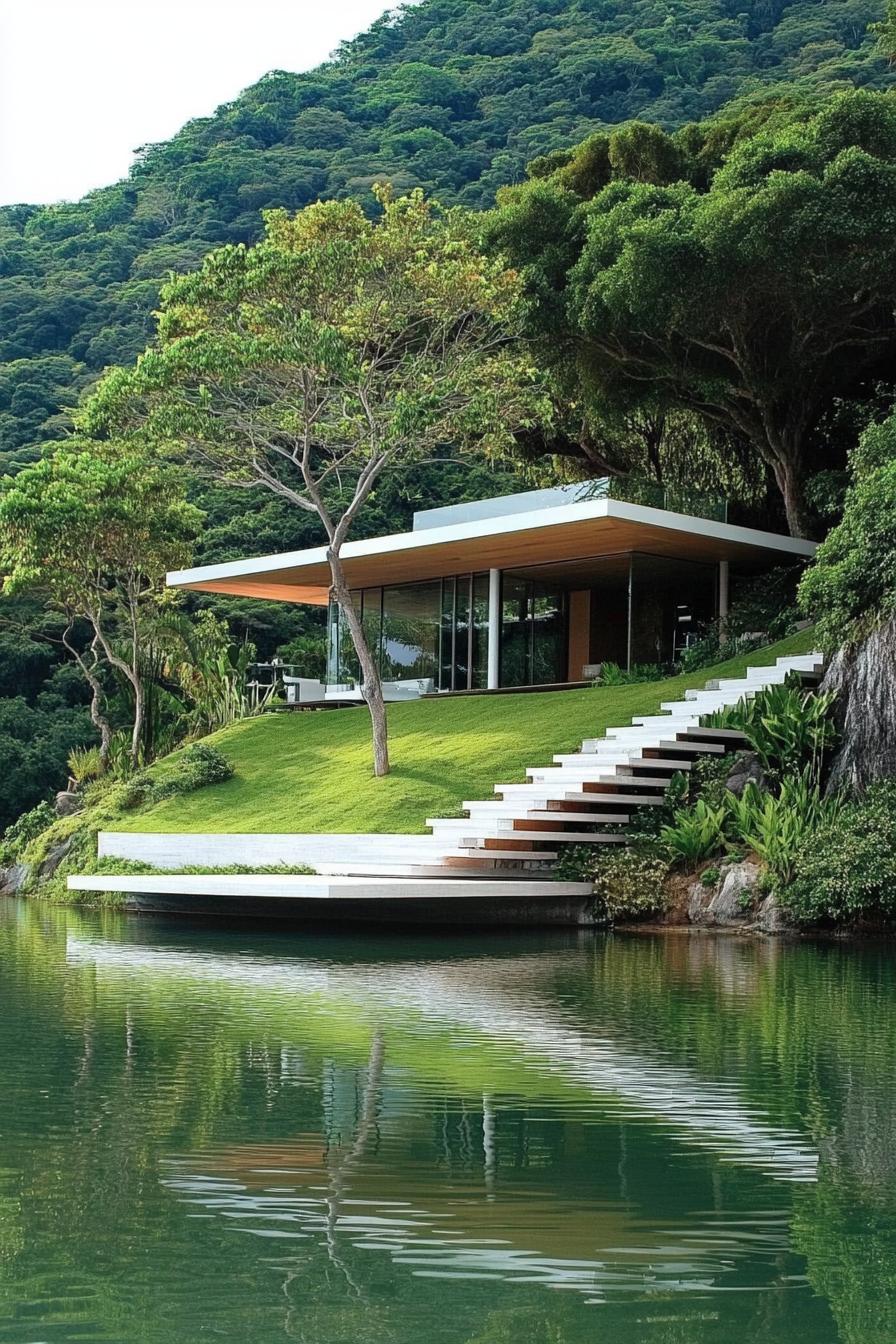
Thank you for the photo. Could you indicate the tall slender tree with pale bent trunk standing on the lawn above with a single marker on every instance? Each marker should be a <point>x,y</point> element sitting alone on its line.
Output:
<point>339,349</point>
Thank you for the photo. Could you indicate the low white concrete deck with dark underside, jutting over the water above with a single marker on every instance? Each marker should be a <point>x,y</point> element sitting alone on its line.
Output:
<point>370,900</point>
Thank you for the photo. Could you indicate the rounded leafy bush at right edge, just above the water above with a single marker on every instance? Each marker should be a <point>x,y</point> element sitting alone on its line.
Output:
<point>846,870</point>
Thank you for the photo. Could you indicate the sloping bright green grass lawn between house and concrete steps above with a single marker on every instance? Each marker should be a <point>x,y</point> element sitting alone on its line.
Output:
<point>312,772</point>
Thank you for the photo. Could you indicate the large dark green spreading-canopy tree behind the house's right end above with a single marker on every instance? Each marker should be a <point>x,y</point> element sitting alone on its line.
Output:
<point>744,275</point>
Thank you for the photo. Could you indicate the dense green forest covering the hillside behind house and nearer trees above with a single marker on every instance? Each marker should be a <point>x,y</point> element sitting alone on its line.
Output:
<point>455,96</point>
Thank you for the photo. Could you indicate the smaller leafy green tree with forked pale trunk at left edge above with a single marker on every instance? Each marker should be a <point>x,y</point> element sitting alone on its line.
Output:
<point>92,529</point>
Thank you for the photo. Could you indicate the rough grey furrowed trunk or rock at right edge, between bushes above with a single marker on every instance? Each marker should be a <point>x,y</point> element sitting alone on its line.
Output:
<point>864,678</point>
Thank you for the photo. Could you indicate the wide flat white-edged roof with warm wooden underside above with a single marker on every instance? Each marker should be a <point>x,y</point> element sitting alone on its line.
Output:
<point>541,537</point>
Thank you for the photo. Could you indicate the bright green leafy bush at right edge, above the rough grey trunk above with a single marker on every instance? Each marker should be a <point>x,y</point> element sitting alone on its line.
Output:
<point>852,584</point>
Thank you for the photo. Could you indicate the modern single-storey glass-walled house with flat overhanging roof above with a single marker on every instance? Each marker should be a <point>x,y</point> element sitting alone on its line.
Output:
<point>530,589</point>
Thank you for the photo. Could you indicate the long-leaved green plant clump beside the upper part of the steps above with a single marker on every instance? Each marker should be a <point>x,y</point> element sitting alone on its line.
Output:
<point>791,729</point>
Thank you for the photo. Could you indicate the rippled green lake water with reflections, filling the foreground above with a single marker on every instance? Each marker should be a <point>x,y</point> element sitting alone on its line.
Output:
<point>265,1136</point>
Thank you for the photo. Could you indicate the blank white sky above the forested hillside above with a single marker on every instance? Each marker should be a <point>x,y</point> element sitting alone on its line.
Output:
<point>85,83</point>
